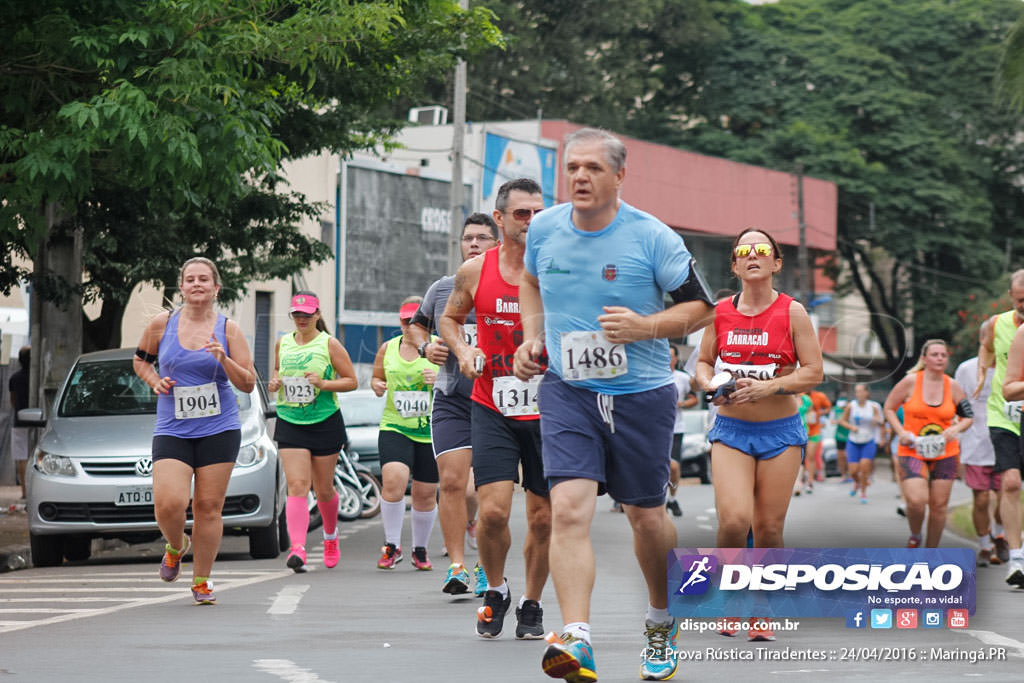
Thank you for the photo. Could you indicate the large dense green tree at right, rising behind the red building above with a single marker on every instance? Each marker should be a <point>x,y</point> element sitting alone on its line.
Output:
<point>893,102</point>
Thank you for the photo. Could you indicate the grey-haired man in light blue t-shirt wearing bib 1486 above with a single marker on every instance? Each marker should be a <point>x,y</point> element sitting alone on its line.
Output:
<point>593,295</point>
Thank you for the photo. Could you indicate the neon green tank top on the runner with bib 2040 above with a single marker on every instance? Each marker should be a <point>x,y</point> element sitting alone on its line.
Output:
<point>409,399</point>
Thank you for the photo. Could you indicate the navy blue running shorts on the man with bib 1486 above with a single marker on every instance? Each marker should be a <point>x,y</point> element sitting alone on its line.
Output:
<point>622,442</point>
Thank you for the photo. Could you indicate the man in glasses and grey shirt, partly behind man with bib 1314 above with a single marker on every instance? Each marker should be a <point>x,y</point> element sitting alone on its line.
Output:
<point>450,421</point>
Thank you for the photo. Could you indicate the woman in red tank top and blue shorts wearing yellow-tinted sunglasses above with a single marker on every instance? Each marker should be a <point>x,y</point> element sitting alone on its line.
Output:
<point>765,341</point>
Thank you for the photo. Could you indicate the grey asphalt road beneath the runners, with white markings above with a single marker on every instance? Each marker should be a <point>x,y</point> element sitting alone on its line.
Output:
<point>111,619</point>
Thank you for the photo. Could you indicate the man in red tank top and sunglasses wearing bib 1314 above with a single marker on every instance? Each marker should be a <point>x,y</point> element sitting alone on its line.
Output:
<point>505,428</point>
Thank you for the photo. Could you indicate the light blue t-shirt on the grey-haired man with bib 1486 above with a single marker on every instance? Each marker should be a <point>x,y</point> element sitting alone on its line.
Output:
<point>632,263</point>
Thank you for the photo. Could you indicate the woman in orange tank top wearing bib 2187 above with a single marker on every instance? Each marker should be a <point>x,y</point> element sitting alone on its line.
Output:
<point>935,411</point>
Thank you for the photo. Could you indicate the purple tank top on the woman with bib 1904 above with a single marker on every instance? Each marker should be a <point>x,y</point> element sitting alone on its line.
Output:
<point>191,369</point>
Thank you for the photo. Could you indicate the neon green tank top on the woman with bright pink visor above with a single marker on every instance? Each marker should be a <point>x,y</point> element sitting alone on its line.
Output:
<point>300,402</point>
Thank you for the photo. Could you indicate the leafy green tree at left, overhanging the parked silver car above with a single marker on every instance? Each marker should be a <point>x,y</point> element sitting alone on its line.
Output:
<point>158,129</point>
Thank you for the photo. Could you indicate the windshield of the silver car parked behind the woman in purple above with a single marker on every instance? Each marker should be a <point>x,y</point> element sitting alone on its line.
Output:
<point>111,388</point>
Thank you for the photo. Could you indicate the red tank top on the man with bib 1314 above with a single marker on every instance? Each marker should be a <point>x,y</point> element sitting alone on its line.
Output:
<point>499,330</point>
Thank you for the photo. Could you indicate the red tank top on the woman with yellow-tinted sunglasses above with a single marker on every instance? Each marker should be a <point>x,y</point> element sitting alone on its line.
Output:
<point>757,347</point>
